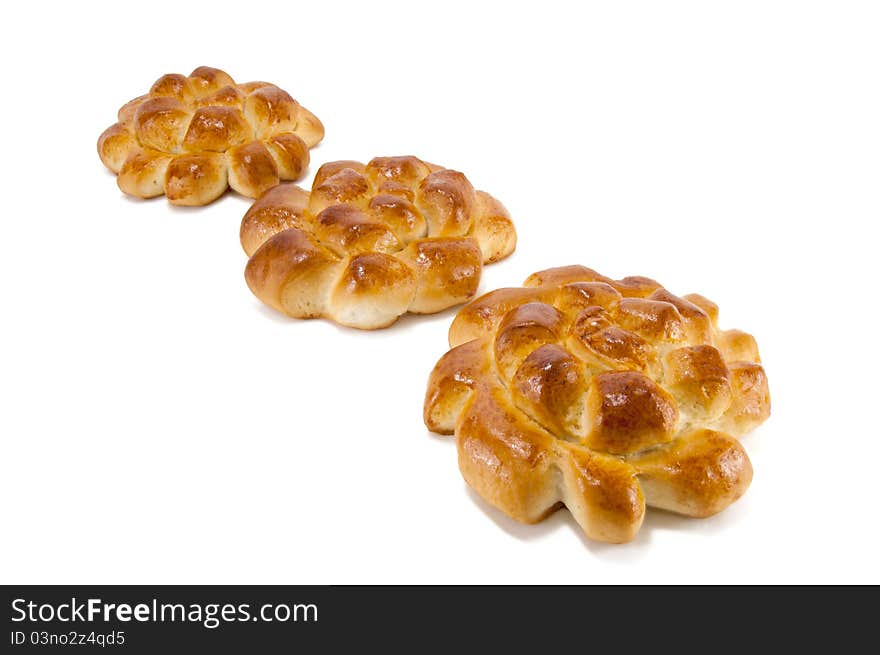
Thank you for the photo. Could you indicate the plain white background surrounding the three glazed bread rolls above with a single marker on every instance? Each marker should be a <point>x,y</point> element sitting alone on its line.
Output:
<point>160,426</point>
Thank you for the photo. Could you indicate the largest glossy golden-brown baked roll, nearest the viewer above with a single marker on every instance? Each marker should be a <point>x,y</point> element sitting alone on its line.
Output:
<point>600,395</point>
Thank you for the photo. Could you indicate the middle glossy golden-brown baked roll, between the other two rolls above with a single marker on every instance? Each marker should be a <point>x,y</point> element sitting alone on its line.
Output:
<point>373,241</point>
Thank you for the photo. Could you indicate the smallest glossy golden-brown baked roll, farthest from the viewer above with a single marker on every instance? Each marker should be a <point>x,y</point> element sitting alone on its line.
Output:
<point>192,137</point>
